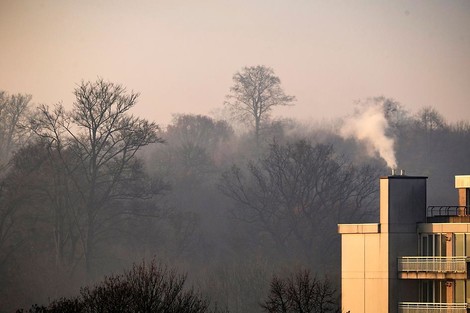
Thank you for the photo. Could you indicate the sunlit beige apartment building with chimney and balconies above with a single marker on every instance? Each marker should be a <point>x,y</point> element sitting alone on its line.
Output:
<point>414,259</point>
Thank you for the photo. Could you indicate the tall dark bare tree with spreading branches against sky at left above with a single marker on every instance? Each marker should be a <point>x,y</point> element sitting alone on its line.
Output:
<point>97,142</point>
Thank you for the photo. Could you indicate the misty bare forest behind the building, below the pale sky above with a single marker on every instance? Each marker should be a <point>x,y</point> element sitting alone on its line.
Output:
<point>242,205</point>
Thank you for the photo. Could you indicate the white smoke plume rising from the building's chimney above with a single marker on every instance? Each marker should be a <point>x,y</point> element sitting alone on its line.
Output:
<point>369,125</point>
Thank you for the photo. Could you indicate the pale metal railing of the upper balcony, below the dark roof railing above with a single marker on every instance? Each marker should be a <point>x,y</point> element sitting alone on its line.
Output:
<point>455,264</point>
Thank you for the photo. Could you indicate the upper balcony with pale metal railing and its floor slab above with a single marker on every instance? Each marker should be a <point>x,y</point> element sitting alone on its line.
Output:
<point>424,267</point>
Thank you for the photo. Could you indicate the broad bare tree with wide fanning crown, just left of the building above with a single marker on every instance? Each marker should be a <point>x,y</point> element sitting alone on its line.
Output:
<point>296,193</point>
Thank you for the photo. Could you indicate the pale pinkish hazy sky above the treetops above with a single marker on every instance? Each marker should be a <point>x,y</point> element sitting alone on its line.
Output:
<point>181,55</point>
